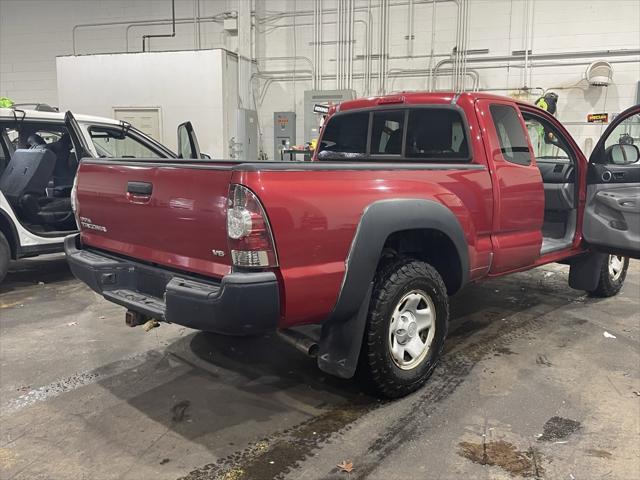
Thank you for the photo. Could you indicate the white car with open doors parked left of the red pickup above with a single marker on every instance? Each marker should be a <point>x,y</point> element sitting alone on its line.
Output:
<point>38,162</point>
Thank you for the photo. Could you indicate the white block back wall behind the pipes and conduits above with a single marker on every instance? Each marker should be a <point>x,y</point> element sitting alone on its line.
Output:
<point>29,43</point>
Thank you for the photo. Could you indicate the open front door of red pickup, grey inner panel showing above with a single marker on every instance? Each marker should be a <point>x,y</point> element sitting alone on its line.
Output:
<point>612,212</point>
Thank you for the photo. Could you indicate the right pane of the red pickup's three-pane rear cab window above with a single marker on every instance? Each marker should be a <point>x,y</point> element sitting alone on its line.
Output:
<point>437,134</point>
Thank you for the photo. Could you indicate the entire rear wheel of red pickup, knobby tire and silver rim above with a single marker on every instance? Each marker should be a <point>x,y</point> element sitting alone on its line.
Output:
<point>406,328</point>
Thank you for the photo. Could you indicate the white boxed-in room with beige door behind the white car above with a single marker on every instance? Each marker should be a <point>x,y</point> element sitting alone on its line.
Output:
<point>190,89</point>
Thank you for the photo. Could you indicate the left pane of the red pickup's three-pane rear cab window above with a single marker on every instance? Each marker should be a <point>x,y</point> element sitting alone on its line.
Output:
<point>344,133</point>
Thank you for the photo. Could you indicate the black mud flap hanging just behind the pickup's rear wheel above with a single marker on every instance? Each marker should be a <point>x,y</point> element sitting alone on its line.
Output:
<point>341,341</point>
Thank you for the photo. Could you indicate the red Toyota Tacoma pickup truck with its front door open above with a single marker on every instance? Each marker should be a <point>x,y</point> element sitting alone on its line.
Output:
<point>408,198</point>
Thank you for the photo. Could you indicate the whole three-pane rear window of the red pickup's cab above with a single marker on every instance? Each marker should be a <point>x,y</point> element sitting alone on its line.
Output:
<point>427,134</point>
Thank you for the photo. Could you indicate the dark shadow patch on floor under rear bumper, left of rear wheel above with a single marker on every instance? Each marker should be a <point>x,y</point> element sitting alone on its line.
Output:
<point>248,387</point>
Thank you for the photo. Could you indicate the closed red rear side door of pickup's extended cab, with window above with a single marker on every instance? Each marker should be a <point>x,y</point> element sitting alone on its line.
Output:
<point>518,191</point>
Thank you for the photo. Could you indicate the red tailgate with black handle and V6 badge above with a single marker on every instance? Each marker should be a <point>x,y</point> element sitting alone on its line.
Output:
<point>172,215</point>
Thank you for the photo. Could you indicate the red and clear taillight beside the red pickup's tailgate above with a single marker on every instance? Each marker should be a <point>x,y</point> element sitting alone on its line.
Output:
<point>248,230</point>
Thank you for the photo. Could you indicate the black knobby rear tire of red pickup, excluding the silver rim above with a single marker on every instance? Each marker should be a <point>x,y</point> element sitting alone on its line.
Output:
<point>376,367</point>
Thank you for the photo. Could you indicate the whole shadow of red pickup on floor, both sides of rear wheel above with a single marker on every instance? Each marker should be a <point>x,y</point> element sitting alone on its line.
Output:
<point>250,387</point>
